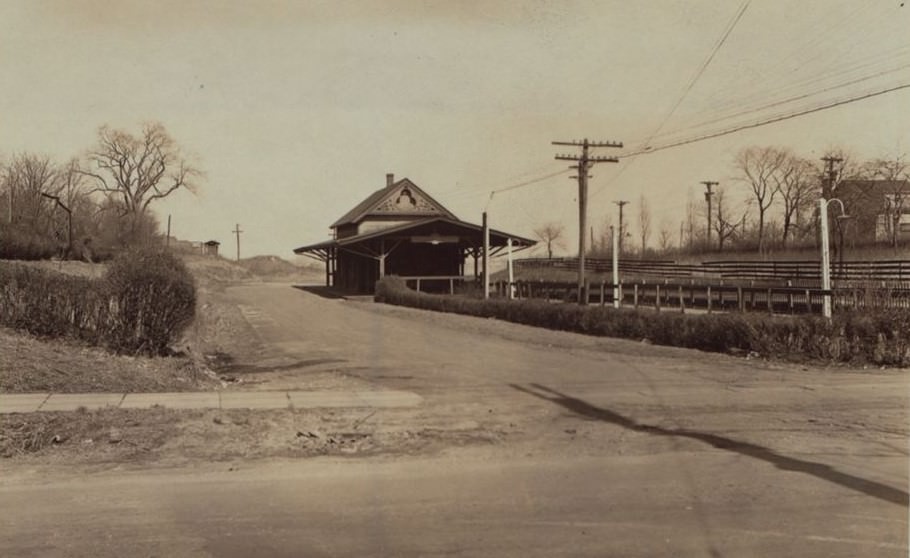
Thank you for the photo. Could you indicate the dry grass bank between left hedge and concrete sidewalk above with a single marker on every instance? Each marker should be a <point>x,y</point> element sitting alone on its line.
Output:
<point>33,365</point>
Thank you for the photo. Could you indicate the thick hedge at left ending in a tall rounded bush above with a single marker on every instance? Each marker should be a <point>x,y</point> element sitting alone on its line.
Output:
<point>140,306</point>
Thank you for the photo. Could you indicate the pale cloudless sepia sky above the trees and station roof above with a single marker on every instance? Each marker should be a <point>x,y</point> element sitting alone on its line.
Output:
<point>297,110</point>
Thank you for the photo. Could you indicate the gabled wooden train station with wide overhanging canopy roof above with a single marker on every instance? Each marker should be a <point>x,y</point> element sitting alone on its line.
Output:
<point>401,230</point>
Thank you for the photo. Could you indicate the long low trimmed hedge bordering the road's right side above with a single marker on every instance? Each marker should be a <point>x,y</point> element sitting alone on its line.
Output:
<point>882,338</point>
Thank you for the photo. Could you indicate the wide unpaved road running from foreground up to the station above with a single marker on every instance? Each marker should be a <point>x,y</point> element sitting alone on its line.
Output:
<point>546,443</point>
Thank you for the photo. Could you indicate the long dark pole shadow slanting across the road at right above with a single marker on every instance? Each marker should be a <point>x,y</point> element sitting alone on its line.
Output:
<point>818,470</point>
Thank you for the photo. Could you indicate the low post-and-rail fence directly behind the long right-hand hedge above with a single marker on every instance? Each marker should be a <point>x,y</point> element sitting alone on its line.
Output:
<point>709,297</point>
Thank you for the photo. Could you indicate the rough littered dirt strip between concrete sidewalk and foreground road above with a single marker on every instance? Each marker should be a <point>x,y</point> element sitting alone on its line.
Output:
<point>167,436</point>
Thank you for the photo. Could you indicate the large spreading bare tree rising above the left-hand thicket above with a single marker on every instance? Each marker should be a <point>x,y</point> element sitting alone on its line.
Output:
<point>137,170</point>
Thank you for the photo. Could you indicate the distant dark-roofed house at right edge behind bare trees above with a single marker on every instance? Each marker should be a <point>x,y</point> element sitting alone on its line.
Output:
<point>879,209</point>
